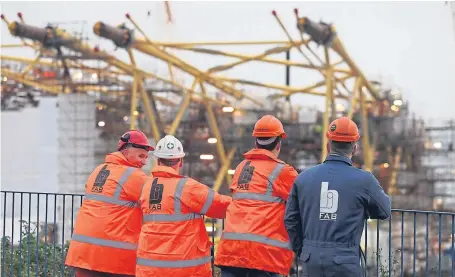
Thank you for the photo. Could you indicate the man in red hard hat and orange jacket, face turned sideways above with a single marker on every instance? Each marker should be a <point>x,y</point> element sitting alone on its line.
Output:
<point>108,224</point>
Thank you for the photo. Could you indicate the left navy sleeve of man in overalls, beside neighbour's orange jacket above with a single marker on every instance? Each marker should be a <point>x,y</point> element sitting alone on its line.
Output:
<point>293,221</point>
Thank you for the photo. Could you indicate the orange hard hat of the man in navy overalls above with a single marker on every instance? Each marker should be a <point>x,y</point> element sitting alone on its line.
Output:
<point>343,129</point>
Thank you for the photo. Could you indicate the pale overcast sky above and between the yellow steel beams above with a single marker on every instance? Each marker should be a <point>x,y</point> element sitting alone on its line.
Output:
<point>411,45</point>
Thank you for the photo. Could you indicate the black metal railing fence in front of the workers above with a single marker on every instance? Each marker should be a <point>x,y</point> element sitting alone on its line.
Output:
<point>37,227</point>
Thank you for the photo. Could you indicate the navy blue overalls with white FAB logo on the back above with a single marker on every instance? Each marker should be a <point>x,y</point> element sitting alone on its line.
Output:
<point>334,199</point>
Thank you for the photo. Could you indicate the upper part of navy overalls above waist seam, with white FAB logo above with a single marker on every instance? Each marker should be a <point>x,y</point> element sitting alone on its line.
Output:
<point>334,198</point>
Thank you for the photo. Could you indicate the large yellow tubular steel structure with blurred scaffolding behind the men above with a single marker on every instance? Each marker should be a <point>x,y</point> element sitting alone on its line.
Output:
<point>215,115</point>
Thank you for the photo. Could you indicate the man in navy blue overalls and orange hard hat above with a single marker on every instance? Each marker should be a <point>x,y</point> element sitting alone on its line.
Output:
<point>328,204</point>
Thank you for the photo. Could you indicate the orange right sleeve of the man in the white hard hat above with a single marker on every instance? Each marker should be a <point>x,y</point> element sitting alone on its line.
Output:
<point>204,200</point>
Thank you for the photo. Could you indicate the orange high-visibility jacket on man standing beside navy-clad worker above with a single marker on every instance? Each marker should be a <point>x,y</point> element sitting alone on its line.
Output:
<point>254,234</point>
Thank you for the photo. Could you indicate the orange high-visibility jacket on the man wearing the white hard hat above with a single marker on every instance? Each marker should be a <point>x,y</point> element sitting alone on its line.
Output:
<point>173,240</point>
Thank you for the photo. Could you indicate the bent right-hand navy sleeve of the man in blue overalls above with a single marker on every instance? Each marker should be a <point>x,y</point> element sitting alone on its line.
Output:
<point>378,202</point>
